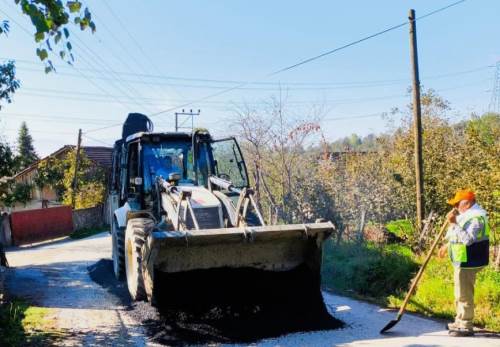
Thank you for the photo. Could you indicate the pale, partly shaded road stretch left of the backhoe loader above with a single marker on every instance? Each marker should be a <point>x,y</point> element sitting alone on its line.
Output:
<point>56,276</point>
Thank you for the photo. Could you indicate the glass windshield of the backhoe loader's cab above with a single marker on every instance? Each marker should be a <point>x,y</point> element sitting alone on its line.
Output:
<point>162,159</point>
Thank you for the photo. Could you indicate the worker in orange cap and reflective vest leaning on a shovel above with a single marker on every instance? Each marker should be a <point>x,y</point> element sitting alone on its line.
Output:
<point>468,247</point>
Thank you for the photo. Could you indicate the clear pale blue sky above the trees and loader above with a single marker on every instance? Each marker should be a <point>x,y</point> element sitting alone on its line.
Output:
<point>157,55</point>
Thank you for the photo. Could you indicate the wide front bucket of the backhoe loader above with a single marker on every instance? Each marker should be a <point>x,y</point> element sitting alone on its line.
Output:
<point>247,267</point>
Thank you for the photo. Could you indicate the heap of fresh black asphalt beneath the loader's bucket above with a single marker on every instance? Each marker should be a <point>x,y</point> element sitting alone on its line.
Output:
<point>224,305</point>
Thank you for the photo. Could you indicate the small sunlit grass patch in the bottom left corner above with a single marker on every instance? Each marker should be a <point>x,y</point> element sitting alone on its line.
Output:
<point>24,325</point>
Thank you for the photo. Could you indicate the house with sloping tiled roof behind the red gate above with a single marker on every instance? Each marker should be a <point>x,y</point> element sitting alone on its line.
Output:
<point>101,156</point>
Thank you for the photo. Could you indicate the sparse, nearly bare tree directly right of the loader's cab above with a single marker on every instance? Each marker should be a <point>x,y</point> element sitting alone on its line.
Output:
<point>273,143</point>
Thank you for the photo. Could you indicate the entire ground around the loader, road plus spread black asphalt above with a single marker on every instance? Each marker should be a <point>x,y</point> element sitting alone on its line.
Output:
<point>74,279</point>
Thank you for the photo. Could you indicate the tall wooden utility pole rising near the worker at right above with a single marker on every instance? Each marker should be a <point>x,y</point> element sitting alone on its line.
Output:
<point>417,121</point>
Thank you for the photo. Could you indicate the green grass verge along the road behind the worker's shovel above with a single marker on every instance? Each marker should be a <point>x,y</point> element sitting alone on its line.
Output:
<point>383,274</point>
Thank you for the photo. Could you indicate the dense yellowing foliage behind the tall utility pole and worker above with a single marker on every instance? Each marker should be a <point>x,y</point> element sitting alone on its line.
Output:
<point>381,180</point>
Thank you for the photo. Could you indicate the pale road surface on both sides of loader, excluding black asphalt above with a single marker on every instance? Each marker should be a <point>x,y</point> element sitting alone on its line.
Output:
<point>55,275</point>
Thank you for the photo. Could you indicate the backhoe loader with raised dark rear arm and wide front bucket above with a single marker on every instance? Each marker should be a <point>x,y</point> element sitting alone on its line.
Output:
<point>187,230</point>
